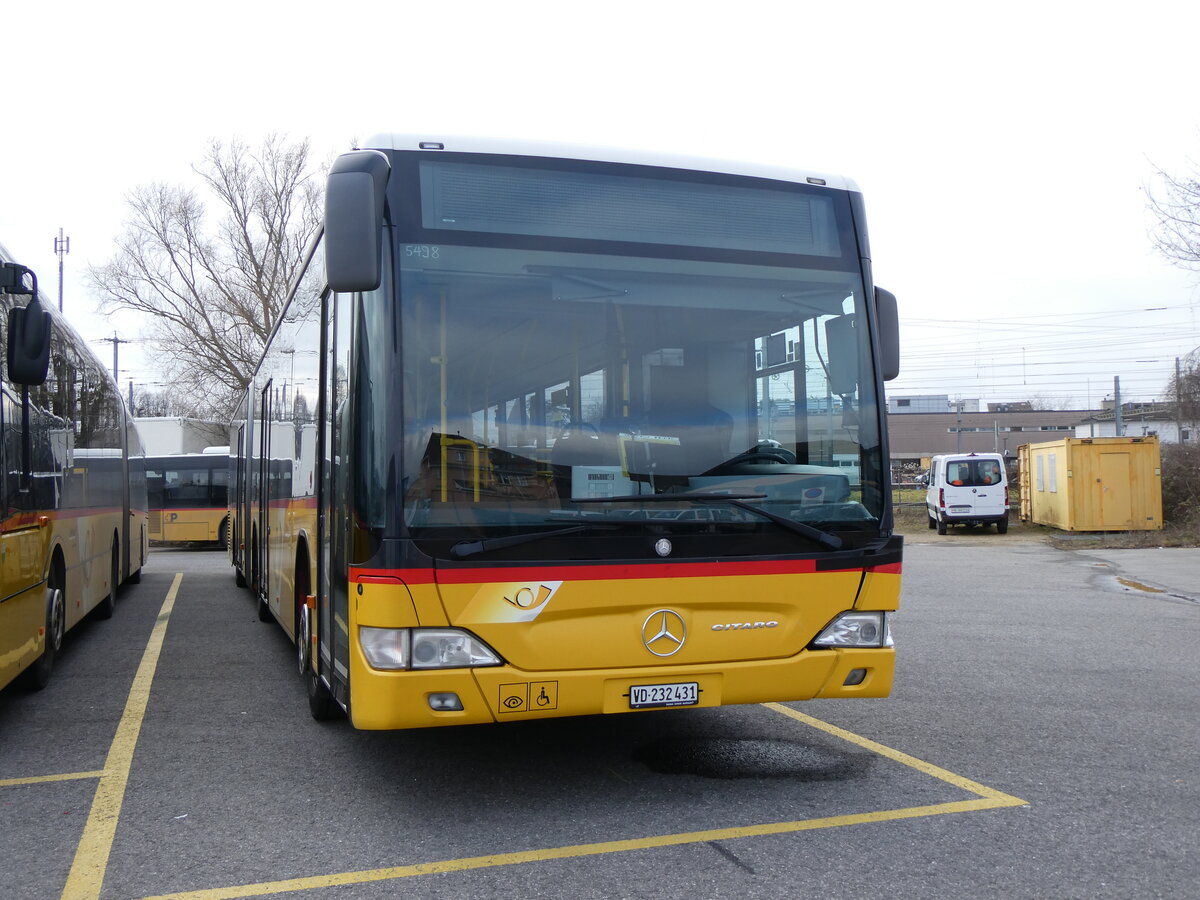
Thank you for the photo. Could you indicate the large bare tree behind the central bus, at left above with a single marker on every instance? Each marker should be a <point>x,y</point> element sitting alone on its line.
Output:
<point>209,296</point>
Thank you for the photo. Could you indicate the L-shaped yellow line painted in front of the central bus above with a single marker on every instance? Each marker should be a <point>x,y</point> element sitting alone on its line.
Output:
<point>986,799</point>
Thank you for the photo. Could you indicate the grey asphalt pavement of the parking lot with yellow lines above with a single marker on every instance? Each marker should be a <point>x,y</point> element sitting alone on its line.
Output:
<point>1040,743</point>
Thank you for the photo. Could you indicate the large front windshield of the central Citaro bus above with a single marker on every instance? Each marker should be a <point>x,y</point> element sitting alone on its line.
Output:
<point>721,355</point>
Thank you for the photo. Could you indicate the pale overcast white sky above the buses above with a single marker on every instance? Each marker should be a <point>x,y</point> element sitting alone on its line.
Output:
<point>1004,151</point>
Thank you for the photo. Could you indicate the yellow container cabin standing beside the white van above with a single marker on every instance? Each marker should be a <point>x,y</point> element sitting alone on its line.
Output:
<point>1093,484</point>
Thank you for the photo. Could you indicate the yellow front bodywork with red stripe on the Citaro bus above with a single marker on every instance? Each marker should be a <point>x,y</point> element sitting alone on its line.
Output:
<point>573,639</point>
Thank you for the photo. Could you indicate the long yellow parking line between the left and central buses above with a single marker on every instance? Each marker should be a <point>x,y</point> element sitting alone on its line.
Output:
<point>92,856</point>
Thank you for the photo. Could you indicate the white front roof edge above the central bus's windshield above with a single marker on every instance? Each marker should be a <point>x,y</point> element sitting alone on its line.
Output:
<point>509,147</point>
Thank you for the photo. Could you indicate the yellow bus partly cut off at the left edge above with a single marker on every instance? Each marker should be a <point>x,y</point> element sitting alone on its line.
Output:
<point>74,490</point>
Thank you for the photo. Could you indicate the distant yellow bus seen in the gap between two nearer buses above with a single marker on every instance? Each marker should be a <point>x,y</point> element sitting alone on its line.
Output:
<point>189,497</point>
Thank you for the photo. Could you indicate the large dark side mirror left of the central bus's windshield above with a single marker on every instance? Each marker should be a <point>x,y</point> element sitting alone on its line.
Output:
<point>355,207</point>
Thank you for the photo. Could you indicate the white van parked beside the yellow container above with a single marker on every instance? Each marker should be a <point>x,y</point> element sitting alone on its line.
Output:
<point>968,489</point>
